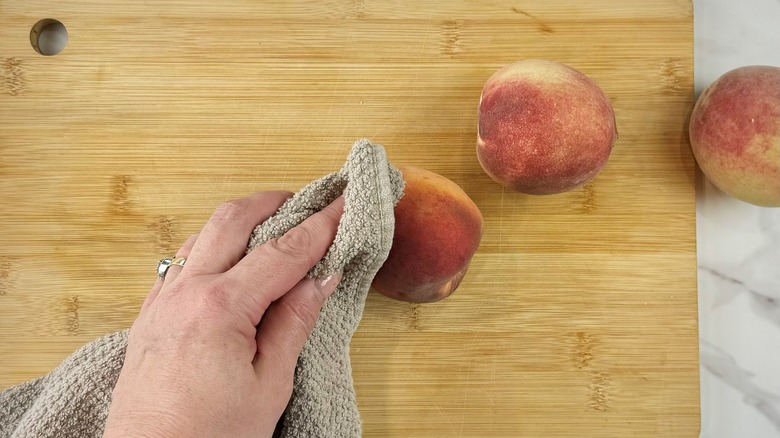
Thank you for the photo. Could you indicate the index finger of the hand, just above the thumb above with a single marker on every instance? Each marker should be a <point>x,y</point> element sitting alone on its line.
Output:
<point>274,267</point>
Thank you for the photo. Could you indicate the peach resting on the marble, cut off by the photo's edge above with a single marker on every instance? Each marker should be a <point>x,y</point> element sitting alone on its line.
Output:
<point>735,134</point>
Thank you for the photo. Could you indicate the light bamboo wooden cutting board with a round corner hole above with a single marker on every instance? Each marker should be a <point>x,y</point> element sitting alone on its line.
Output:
<point>578,316</point>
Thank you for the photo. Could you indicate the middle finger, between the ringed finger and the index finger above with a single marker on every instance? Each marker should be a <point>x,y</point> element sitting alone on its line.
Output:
<point>224,238</point>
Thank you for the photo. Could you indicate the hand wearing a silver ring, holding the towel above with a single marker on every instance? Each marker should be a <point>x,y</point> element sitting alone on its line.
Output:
<point>199,360</point>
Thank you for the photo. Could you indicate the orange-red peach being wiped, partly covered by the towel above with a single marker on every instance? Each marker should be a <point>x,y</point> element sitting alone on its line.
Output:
<point>438,229</point>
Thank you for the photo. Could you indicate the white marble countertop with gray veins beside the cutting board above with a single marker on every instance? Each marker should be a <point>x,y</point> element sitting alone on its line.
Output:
<point>738,247</point>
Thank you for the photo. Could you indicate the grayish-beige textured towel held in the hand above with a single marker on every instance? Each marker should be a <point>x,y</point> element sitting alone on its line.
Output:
<point>73,400</point>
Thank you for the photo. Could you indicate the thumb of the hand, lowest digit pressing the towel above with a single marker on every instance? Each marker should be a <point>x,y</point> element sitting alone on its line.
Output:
<point>287,324</point>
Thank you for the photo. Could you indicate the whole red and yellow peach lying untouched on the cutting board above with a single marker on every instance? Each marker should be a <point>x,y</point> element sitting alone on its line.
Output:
<point>543,127</point>
